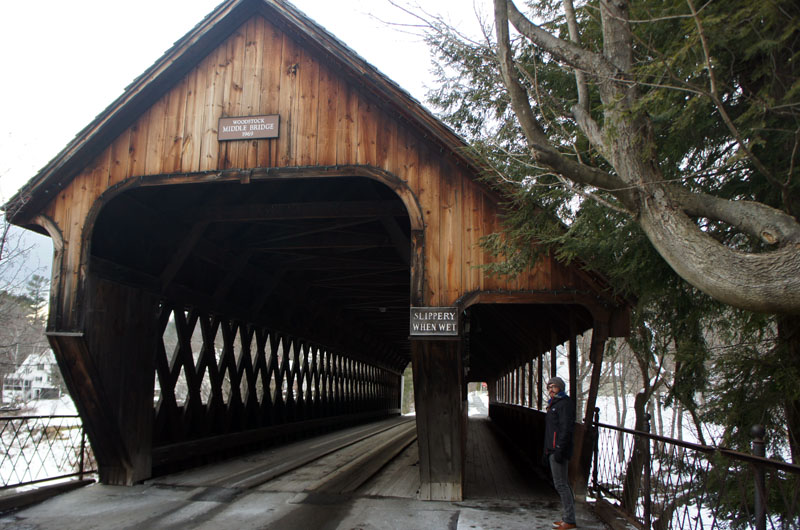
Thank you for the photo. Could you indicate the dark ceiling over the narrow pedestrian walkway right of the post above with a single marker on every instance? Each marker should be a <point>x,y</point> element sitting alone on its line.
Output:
<point>503,336</point>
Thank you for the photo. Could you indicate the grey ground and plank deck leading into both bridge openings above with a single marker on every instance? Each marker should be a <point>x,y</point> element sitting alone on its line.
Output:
<point>499,494</point>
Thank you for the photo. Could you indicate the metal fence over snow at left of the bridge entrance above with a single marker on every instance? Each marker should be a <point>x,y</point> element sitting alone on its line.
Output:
<point>36,449</point>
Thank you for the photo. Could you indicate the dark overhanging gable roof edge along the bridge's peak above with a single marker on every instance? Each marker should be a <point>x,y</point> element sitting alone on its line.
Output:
<point>183,56</point>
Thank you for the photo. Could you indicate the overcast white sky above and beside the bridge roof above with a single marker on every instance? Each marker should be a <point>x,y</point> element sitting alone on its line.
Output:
<point>66,61</point>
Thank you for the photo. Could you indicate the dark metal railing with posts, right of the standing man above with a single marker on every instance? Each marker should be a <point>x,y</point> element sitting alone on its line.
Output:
<point>663,483</point>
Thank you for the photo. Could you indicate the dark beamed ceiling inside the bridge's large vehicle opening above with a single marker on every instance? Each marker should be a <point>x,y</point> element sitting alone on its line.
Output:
<point>326,260</point>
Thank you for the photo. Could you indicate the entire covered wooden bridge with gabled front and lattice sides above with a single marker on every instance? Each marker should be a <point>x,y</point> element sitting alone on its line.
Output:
<point>258,236</point>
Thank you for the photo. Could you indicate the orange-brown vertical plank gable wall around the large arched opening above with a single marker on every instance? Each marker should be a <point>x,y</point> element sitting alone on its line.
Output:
<point>325,121</point>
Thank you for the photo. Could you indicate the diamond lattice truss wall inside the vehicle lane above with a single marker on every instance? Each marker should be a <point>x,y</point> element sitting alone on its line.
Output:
<point>216,375</point>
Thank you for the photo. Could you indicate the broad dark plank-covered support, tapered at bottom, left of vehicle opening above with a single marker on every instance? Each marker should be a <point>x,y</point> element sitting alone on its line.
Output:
<point>109,370</point>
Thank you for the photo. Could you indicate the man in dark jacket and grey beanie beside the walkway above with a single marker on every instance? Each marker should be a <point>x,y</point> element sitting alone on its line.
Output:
<point>559,426</point>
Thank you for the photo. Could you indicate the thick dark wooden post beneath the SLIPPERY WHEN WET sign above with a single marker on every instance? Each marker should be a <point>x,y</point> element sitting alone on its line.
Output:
<point>438,378</point>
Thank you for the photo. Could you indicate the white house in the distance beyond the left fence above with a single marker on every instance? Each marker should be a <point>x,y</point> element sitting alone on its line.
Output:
<point>34,379</point>
